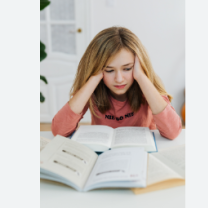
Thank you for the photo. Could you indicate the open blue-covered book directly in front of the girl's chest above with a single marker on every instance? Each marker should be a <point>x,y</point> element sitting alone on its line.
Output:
<point>100,138</point>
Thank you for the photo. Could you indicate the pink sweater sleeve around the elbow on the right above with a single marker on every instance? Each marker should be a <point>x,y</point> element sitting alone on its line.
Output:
<point>168,122</point>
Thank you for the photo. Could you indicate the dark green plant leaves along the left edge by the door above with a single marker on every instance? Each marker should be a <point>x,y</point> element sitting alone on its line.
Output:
<point>43,54</point>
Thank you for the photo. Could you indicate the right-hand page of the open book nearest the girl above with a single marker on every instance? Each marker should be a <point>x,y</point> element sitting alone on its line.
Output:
<point>132,136</point>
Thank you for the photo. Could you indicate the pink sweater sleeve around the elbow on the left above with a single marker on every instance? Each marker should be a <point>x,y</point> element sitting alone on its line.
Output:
<point>66,121</point>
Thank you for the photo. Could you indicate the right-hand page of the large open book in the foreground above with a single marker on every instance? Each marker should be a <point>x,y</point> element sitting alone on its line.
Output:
<point>119,164</point>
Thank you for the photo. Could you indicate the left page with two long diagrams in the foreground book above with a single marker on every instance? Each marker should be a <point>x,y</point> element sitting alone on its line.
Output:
<point>68,160</point>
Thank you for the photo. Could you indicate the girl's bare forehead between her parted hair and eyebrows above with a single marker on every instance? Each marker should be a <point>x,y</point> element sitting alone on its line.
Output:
<point>121,58</point>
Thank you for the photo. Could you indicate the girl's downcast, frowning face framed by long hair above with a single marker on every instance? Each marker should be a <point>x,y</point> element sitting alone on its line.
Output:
<point>118,73</point>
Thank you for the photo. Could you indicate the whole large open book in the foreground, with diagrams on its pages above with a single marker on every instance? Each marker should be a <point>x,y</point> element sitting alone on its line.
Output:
<point>76,165</point>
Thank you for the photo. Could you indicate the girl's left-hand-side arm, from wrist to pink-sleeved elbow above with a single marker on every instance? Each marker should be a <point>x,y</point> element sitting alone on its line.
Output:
<point>66,120</point>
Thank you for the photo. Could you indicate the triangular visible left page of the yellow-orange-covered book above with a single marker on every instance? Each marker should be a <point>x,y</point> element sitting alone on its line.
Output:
<point>157,171</point>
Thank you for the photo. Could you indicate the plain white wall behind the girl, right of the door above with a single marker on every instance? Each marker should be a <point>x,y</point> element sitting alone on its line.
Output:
<point>160,25</point>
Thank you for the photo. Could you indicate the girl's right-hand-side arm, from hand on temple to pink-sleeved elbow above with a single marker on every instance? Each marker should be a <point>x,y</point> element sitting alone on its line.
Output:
<point>165,117</point>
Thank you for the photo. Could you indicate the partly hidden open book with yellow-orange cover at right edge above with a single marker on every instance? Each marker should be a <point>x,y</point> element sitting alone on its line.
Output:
<point>166,169</point>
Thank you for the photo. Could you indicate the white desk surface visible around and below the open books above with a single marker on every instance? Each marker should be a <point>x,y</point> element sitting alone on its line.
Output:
<point>54,195</point>
